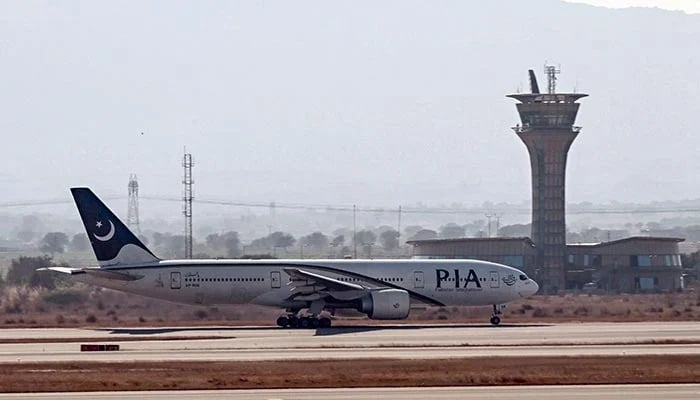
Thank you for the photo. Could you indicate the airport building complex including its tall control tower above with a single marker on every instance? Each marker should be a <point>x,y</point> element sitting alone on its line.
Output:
<point>628,265</point>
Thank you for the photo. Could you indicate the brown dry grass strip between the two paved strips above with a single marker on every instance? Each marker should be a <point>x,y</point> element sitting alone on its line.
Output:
<point>25,377</point>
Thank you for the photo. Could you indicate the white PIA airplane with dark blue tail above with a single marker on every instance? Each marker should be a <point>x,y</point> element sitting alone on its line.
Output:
<point>309,290</point>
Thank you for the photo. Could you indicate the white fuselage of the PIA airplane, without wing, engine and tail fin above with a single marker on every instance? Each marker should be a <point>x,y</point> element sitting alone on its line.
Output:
<point>446,282</point>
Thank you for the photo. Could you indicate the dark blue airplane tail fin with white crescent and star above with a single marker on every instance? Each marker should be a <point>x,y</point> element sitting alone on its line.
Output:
<point>113,243</point>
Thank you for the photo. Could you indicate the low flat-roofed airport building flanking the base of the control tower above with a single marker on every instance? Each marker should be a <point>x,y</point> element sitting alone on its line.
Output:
<point>633,264</point>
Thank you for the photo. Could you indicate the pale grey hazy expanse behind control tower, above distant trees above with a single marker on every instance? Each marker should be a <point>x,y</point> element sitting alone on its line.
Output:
<point>386,103</point>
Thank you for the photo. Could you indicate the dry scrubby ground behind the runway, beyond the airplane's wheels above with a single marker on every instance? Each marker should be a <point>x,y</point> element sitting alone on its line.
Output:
<point>25,307</point>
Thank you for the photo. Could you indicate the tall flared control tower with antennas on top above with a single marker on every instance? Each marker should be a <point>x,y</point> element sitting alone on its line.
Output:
<point>547,129</point>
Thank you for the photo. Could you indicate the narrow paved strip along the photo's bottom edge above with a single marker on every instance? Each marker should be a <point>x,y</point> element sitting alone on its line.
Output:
<point>574,392</point>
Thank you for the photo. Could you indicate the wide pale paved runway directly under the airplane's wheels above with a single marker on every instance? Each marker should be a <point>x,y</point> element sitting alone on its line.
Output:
<point>354,342</point>
